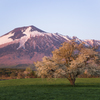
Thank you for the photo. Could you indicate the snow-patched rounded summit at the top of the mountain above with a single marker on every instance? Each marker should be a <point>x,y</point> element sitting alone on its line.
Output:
<point>20,32</point>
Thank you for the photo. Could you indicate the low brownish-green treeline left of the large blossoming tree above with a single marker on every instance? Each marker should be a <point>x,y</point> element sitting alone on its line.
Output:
<point>10,73</point>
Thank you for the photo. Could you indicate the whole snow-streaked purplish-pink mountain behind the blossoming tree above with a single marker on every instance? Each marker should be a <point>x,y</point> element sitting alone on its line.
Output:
<point>28,44</point>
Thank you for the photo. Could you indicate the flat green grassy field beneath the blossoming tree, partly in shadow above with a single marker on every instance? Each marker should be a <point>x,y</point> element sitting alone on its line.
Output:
<point>44,89</point>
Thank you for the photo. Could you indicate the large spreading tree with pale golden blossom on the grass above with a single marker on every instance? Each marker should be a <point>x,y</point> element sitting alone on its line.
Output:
<point>68,61</point>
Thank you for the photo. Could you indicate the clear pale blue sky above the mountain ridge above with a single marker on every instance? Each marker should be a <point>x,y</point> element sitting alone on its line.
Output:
<point>79,18</point>
